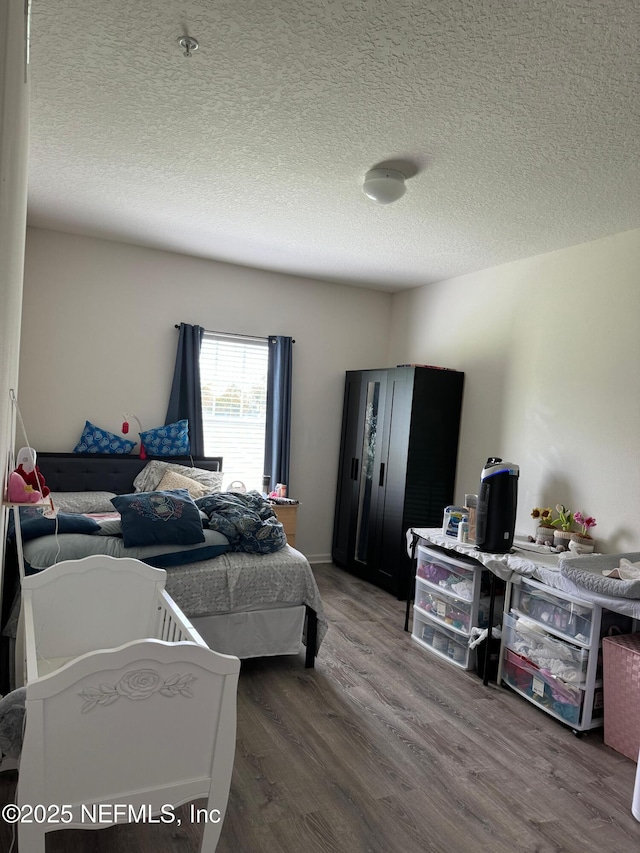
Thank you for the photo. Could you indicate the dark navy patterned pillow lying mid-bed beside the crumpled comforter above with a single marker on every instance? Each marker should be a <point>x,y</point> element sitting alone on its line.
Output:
<point>159,518</point>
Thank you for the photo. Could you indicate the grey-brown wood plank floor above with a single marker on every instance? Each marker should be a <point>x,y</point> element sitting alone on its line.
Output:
<point>385,749</point>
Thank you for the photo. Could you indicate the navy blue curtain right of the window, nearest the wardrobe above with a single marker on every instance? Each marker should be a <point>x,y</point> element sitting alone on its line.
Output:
<point>278,431</point>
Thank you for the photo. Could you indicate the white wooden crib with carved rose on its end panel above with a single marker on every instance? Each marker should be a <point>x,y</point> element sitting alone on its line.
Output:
<point>112,665</point>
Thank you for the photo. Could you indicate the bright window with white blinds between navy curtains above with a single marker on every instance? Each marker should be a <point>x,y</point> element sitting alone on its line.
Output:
<point>233,379</point>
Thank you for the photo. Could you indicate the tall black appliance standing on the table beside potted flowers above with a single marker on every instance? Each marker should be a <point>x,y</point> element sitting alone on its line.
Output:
<point>497,503</point>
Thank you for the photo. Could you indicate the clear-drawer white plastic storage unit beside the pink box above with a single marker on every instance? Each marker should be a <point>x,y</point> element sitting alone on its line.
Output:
<point>551,651</point>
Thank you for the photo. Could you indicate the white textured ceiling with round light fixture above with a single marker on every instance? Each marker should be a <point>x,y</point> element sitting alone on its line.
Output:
<point>518,122</point>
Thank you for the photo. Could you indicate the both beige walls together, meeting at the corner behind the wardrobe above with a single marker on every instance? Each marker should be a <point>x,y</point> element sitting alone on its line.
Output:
<point>549,345</point>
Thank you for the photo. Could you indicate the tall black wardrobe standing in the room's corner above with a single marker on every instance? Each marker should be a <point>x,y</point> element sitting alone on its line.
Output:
<point>398,454</point>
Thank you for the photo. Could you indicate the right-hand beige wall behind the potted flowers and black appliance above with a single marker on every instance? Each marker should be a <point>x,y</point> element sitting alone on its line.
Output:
<point>551,351</point>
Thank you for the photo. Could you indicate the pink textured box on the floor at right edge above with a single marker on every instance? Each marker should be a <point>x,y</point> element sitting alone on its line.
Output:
<point>621,662</point>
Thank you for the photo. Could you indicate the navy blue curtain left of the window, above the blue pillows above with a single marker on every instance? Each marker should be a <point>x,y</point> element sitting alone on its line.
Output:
<point>185,400</point>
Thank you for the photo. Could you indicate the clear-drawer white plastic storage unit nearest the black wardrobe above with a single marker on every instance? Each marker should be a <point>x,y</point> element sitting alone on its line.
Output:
<point>448,604</point>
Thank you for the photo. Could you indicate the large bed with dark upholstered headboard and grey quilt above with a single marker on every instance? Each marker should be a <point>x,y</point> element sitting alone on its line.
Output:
<point>243,604</point>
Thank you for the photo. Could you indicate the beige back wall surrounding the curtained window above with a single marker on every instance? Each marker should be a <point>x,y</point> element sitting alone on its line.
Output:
<point>98,339</point>
